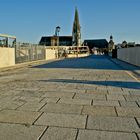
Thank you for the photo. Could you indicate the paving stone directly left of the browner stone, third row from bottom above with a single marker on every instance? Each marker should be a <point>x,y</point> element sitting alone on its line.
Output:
<point>62,108</point>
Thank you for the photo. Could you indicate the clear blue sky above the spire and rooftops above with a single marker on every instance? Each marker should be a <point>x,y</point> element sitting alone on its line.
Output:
<point>31,19</point>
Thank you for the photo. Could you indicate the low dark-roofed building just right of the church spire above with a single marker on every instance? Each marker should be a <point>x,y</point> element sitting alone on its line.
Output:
<point>96,44</point>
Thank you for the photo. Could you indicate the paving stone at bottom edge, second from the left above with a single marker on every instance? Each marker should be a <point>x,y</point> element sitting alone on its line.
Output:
<point>57,133</point>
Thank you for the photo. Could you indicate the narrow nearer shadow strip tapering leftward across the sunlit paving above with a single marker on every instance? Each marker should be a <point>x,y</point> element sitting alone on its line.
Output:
<point>121,84</point>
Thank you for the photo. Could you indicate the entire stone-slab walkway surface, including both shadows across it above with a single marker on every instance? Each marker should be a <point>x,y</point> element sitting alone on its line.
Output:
<point>91,98</point>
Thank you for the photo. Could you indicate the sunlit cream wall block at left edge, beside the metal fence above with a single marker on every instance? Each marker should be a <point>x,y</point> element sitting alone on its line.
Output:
<point>7,57</point>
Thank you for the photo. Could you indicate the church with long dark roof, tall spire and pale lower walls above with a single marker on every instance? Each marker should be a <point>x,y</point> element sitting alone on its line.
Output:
<point>68,44</point>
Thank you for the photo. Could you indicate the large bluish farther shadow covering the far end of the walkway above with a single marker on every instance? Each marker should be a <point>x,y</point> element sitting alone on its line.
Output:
<point>90,62</point>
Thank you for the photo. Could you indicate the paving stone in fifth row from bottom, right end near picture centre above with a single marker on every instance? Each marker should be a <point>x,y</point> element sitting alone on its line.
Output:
<point>59,94</point>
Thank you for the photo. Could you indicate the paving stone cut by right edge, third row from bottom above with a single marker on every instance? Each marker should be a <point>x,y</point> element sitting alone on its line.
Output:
<point>128,111</point>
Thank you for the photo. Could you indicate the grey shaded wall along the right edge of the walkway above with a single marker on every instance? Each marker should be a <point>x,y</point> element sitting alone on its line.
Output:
<point>130,55</point>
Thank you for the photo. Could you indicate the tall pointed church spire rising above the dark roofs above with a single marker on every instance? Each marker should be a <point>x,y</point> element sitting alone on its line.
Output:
<point>76,33</point>
